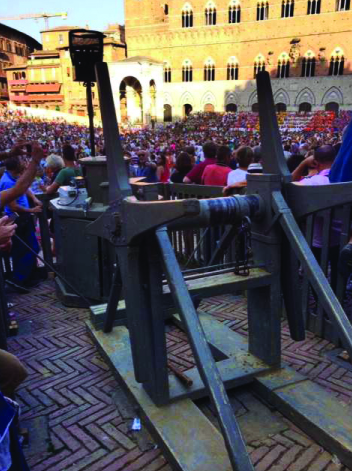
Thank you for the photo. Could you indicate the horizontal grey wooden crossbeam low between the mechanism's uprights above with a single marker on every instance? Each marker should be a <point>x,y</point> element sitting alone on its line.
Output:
<point>207,287</point>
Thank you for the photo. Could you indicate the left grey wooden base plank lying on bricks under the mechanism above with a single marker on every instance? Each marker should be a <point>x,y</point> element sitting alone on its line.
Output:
<point>187,438</point>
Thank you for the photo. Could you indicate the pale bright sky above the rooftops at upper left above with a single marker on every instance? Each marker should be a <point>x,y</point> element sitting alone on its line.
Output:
<point>97,14</point>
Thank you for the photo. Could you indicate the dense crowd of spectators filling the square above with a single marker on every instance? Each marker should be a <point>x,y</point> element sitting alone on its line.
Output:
<point>39,156</point>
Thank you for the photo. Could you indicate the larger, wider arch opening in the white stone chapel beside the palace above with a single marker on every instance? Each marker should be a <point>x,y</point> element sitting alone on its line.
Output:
<point>131,105</point>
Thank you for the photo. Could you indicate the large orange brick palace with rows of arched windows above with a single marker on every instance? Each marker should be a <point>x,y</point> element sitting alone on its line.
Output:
<point>209,51</point>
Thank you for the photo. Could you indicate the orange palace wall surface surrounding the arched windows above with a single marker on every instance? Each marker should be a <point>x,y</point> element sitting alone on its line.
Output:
<point>153,33</point>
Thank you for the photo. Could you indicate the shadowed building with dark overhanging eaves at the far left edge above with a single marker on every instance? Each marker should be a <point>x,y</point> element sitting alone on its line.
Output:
<point>15,47</point>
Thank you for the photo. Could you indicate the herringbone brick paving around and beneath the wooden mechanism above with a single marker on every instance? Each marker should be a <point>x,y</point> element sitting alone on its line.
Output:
<point>69,394</point>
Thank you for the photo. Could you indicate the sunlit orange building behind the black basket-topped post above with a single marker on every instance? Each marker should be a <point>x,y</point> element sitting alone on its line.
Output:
<point>49,76</point>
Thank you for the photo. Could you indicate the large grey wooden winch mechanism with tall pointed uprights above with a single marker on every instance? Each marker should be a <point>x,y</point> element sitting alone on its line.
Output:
<point>149,286</point>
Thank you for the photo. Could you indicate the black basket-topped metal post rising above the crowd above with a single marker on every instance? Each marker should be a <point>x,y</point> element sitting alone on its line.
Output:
<point>86,49</point>
